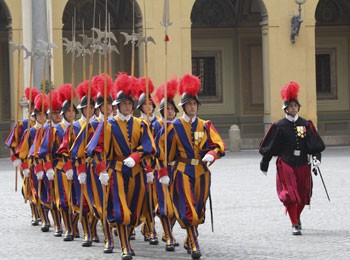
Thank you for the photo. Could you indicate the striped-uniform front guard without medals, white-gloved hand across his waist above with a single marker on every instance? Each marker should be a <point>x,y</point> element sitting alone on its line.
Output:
<point>118,149</point>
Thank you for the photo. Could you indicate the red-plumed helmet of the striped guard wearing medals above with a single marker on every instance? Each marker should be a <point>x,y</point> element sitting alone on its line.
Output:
<point>189,87</point>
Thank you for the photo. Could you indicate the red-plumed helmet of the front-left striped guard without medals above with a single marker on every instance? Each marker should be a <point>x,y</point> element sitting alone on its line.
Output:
<point>127,87</point>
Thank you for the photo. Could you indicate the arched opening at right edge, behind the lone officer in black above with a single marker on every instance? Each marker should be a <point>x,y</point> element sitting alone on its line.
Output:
<point>332,37</point>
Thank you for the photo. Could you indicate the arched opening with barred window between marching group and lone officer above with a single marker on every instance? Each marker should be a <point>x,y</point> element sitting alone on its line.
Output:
<point>231,61</point>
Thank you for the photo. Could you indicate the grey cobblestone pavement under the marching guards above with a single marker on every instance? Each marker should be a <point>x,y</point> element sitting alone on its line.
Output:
<point>249,221</point>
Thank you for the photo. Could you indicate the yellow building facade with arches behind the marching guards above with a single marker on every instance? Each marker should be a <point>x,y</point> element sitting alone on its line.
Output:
<point>241,49</point>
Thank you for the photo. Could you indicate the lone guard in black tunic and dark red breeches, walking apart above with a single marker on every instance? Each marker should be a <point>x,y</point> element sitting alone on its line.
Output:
<point>293,140</point>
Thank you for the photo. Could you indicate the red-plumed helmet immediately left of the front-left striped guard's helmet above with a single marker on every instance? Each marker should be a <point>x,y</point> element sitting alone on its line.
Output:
<point>98,82</point>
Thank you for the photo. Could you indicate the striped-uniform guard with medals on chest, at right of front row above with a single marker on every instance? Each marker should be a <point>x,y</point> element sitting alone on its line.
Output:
<point>193,144</point>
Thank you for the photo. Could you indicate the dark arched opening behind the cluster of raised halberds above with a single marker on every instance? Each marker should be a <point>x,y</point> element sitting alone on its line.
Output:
<point>120,21</point>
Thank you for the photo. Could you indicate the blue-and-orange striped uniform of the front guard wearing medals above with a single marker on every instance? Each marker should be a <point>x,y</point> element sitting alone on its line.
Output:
<point>187,143</point>
